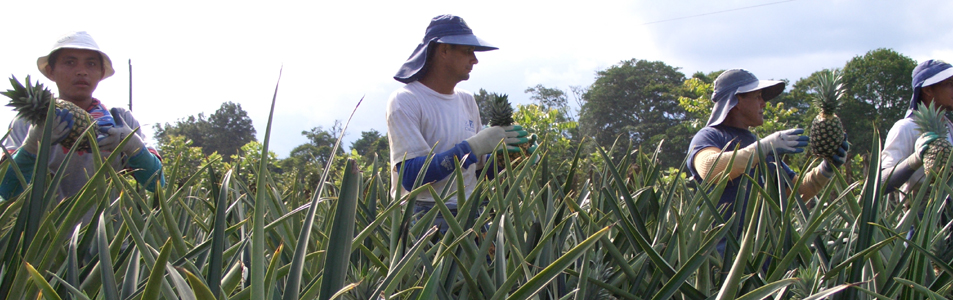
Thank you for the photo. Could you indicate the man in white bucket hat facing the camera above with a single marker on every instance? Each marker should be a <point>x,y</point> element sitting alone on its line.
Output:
<point>76,64</point>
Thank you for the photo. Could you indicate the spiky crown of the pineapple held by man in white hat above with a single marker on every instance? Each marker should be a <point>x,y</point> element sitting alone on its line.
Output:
<point>31,101</point>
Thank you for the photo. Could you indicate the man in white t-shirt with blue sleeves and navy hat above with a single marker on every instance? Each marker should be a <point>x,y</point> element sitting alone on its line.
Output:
<point>429,117</point>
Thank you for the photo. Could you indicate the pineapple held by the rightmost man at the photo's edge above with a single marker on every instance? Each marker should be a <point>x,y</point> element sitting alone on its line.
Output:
<point>930,119</point>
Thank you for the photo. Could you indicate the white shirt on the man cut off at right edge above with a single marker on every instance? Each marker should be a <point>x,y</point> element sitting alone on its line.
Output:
<point>901,139</point>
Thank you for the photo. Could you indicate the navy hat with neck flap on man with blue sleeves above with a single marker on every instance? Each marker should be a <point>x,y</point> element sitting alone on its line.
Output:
<point>444,29</point>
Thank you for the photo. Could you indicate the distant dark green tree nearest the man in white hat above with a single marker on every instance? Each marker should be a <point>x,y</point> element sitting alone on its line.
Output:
<point>224,131</point>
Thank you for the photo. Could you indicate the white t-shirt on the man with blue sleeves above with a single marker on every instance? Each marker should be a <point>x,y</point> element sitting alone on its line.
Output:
<point>419,118</point>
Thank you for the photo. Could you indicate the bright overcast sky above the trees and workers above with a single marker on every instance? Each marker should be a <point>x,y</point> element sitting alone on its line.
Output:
<point>190,56</point>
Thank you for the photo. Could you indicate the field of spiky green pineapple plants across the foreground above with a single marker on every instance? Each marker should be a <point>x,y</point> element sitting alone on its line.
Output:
<point>609,224</point>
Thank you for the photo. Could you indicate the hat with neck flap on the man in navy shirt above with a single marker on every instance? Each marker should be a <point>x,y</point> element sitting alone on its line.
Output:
<point>738,81</point>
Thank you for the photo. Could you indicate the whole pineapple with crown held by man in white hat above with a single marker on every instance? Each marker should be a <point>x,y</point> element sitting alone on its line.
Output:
<point>32,103</point>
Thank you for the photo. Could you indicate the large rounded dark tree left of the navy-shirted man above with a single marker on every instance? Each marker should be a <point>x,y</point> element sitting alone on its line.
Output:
<point>636,100</point>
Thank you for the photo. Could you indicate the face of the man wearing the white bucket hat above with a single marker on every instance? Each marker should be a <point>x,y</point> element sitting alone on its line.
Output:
<point>77,72</point>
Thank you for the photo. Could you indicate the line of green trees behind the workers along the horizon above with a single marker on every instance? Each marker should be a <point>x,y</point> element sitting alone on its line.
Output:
<point>649,104</point>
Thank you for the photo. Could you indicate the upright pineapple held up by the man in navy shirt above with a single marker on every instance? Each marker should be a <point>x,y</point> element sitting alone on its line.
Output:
<point>827,131</point>
